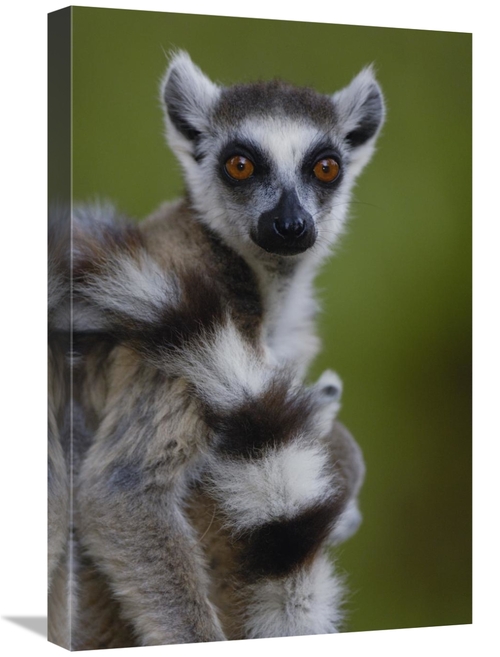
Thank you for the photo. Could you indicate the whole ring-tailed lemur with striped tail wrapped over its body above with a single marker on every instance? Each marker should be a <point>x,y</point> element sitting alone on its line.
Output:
<point>207,479</point>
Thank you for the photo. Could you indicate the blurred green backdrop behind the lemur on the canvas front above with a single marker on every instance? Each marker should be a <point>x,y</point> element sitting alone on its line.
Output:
<point>397,297</point>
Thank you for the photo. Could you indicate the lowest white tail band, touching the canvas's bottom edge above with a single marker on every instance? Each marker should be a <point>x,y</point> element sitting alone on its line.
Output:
<point>306,602</point>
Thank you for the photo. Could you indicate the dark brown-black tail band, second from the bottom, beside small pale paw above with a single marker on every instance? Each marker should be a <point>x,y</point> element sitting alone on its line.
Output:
<point>273,418</point>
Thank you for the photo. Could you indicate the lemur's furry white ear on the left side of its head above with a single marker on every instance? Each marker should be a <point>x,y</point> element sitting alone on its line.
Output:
<point>189,97</point>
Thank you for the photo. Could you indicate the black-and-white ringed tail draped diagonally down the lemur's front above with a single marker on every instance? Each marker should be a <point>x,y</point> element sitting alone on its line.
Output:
<point>270,469</point>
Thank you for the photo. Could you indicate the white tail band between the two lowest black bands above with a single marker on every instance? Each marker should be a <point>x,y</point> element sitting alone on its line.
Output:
<point>276,486</point>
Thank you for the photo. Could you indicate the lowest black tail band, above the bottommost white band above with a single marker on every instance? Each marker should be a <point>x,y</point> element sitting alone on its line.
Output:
<point>278,548</point>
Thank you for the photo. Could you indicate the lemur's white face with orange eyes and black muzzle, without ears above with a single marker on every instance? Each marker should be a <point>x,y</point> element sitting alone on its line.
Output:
<point>279,177</point>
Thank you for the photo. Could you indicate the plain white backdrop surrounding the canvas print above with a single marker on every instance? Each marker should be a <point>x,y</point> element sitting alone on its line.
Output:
<point>23,277</point>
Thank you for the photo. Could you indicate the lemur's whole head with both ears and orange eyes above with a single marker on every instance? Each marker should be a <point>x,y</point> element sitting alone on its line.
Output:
<point>270,166</point>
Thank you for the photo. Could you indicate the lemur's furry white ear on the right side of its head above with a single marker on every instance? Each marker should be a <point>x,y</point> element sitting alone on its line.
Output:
<point>361,111</point>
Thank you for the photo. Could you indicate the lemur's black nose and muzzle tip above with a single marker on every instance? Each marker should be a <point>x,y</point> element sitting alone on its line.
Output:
<point>286,229</point>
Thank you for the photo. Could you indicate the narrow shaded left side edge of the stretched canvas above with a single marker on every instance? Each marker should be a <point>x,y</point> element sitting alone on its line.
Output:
<point>59,370</point>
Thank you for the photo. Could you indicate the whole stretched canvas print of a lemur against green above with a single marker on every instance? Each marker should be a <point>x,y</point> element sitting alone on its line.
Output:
<point>230,412</point>
